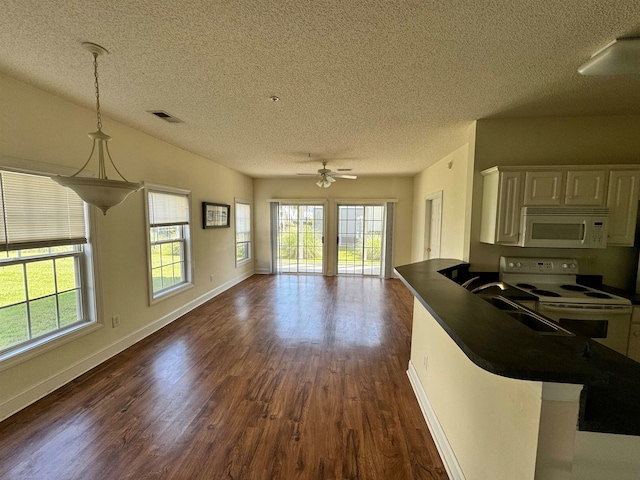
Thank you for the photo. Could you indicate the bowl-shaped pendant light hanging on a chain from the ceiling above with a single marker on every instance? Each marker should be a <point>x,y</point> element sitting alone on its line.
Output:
<point>101,192</point>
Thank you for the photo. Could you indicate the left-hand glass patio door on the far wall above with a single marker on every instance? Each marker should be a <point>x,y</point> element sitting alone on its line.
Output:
<point>300,239</point>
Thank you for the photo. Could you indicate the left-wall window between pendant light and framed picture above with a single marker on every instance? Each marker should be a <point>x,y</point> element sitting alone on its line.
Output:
<point>169,260</point>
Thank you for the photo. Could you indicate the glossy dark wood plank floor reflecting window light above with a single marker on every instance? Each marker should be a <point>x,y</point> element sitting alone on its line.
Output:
<point>281,377</point>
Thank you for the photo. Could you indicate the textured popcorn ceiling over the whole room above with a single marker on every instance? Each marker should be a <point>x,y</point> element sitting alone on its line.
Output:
<point>386,87</point>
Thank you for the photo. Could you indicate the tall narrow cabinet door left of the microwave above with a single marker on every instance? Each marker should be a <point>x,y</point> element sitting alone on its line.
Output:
<point>509,205</point>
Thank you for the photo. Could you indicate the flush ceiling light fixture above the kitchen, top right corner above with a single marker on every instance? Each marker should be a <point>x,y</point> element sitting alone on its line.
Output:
<point>620,57</point>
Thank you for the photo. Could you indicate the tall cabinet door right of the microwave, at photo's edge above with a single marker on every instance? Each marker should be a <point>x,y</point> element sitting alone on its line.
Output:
<point>622,201</point>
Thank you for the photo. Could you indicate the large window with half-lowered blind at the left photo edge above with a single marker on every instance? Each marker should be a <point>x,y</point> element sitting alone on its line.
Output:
<point>45,262</point>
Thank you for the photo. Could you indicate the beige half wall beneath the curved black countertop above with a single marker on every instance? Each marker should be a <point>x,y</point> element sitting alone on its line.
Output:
<point>491,422</point>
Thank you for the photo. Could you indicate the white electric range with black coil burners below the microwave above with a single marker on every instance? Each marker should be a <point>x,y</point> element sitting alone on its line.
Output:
<point>583,310</point>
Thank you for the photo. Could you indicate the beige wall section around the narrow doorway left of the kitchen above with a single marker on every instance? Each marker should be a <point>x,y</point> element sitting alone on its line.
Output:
<point>451,176</point>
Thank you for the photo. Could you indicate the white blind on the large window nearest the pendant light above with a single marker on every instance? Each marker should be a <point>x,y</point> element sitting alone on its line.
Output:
<point>37,212</point>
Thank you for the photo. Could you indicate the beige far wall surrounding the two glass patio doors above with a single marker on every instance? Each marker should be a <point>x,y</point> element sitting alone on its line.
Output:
<point>363,189</point>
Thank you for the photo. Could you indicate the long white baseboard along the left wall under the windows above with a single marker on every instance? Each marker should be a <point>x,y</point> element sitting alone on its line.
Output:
<point>61,378</point>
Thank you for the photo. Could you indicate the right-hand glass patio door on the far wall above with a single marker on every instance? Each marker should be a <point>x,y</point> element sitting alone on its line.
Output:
<point>360,239</point>
